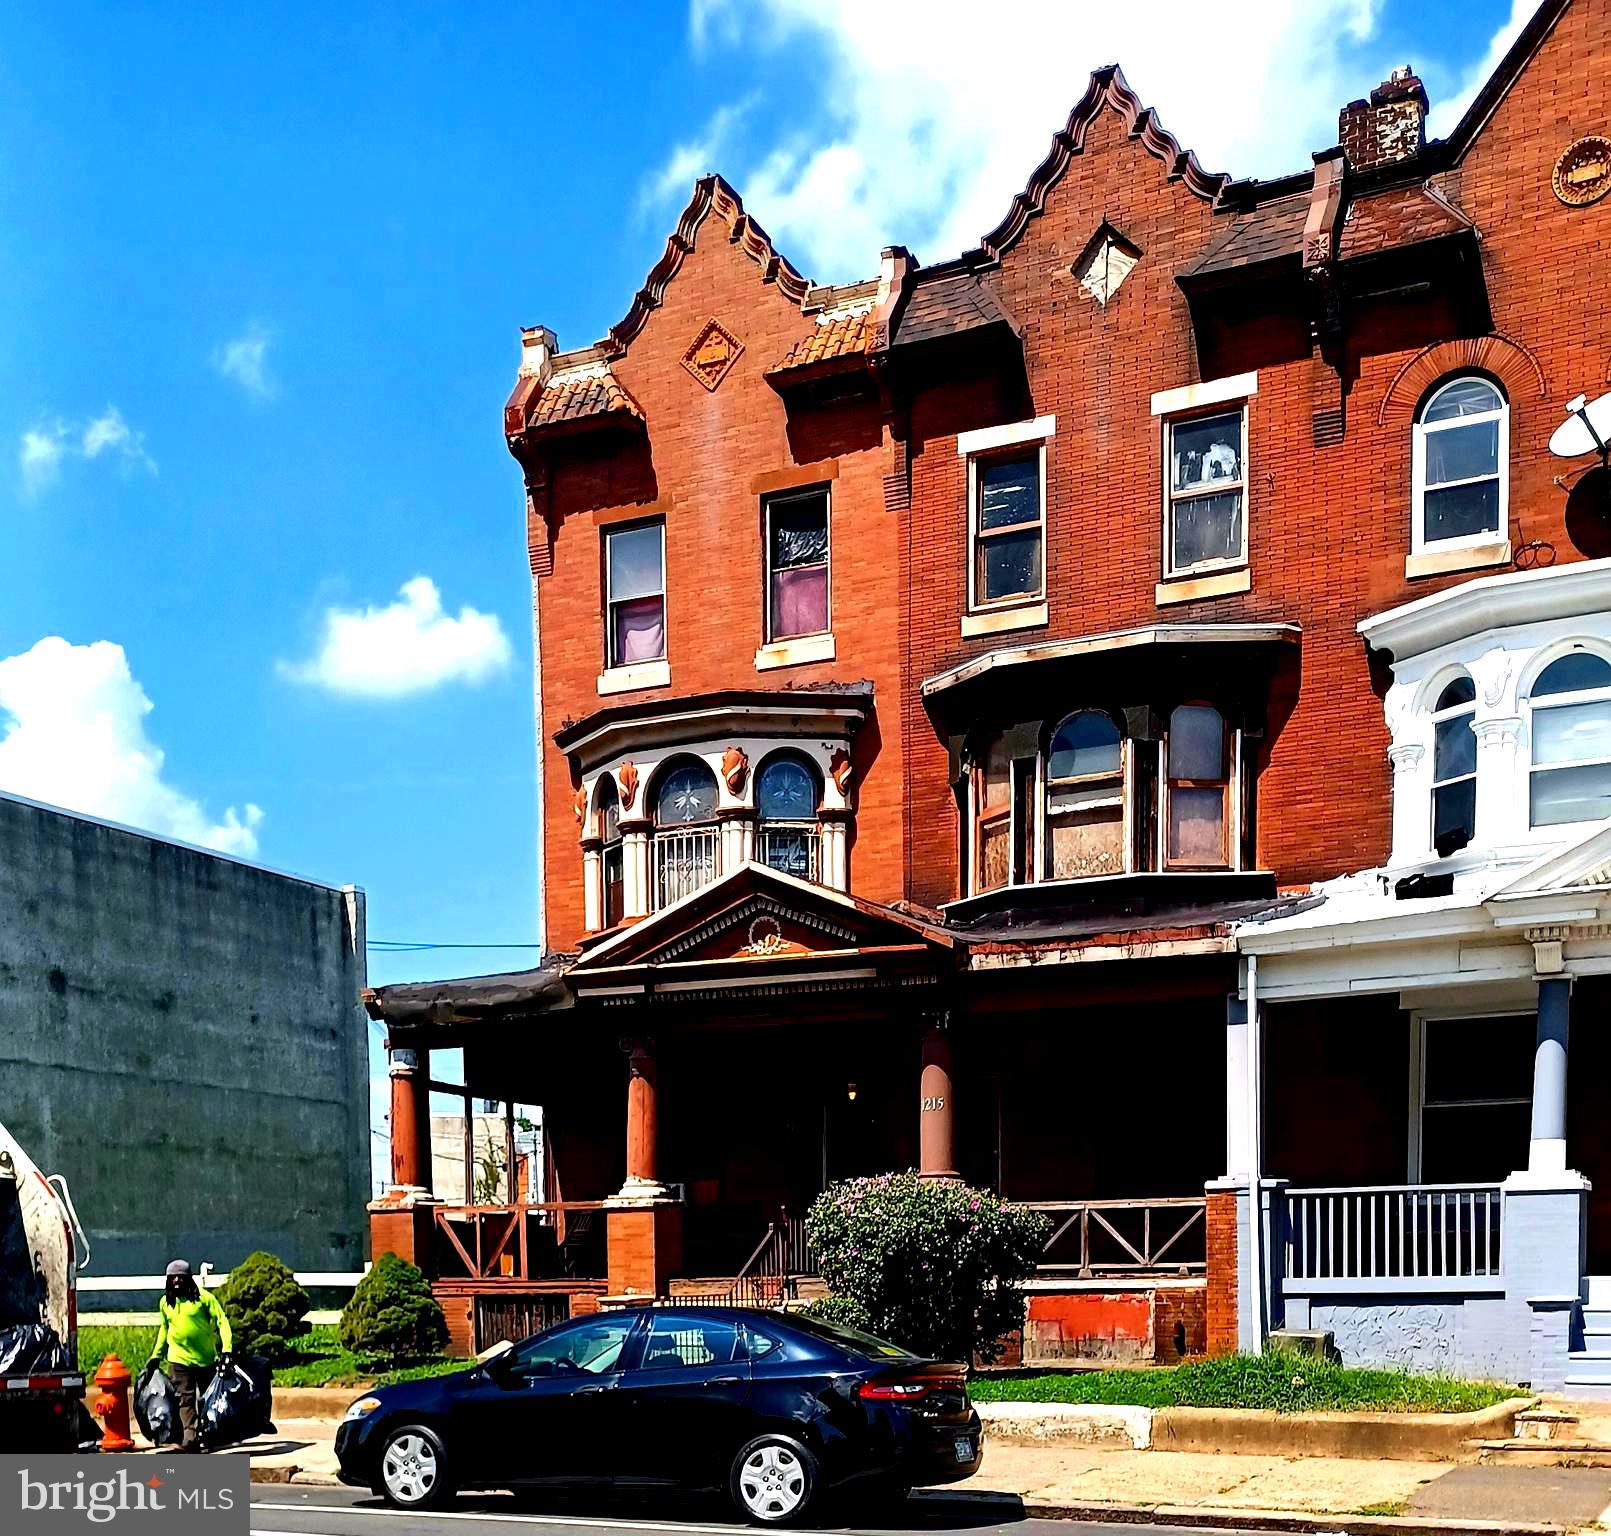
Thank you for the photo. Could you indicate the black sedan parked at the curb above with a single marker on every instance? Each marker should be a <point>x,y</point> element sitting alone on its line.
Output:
<point>772,1408</point>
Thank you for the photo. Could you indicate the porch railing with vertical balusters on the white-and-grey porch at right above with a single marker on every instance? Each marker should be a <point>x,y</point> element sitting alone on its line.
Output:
<point>1396,1232</point>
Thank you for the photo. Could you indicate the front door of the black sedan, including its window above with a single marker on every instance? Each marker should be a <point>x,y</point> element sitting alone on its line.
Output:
<point>547,1411</point>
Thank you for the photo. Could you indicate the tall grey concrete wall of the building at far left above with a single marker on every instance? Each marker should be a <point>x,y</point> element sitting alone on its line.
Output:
<point>181,1036</point>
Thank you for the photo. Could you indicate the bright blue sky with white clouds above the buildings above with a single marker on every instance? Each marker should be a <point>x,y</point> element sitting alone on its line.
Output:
<point>262,273</point>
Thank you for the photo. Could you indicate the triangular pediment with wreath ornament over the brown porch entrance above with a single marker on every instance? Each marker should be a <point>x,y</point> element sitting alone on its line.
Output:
<point>760,923</point>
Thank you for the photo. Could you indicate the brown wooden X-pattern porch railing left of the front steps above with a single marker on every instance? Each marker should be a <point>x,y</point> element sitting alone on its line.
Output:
<point>547,1242</point>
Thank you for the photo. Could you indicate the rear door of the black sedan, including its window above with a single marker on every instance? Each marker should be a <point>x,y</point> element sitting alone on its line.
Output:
<point>684,1406</point>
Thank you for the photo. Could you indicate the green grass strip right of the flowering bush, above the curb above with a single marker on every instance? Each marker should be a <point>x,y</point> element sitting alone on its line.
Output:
<point>1273,1382</point>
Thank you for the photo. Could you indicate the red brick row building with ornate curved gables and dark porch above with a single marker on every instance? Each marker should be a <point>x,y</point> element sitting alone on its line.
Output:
<point>935,670</point>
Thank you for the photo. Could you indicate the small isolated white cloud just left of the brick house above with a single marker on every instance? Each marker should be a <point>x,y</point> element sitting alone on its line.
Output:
<point>408,647</point>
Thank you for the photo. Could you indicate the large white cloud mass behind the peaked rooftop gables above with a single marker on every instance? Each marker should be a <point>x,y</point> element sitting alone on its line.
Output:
<point>935,120</point>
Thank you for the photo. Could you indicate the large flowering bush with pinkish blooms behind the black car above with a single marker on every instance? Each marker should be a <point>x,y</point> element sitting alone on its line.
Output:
<point>932,1264</point>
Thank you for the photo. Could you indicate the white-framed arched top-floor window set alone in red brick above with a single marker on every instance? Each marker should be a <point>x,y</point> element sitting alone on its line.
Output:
<point>1460,465</point>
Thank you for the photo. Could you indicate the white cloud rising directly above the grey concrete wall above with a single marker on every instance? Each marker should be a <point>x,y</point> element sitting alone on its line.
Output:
<point>73,723</point>
